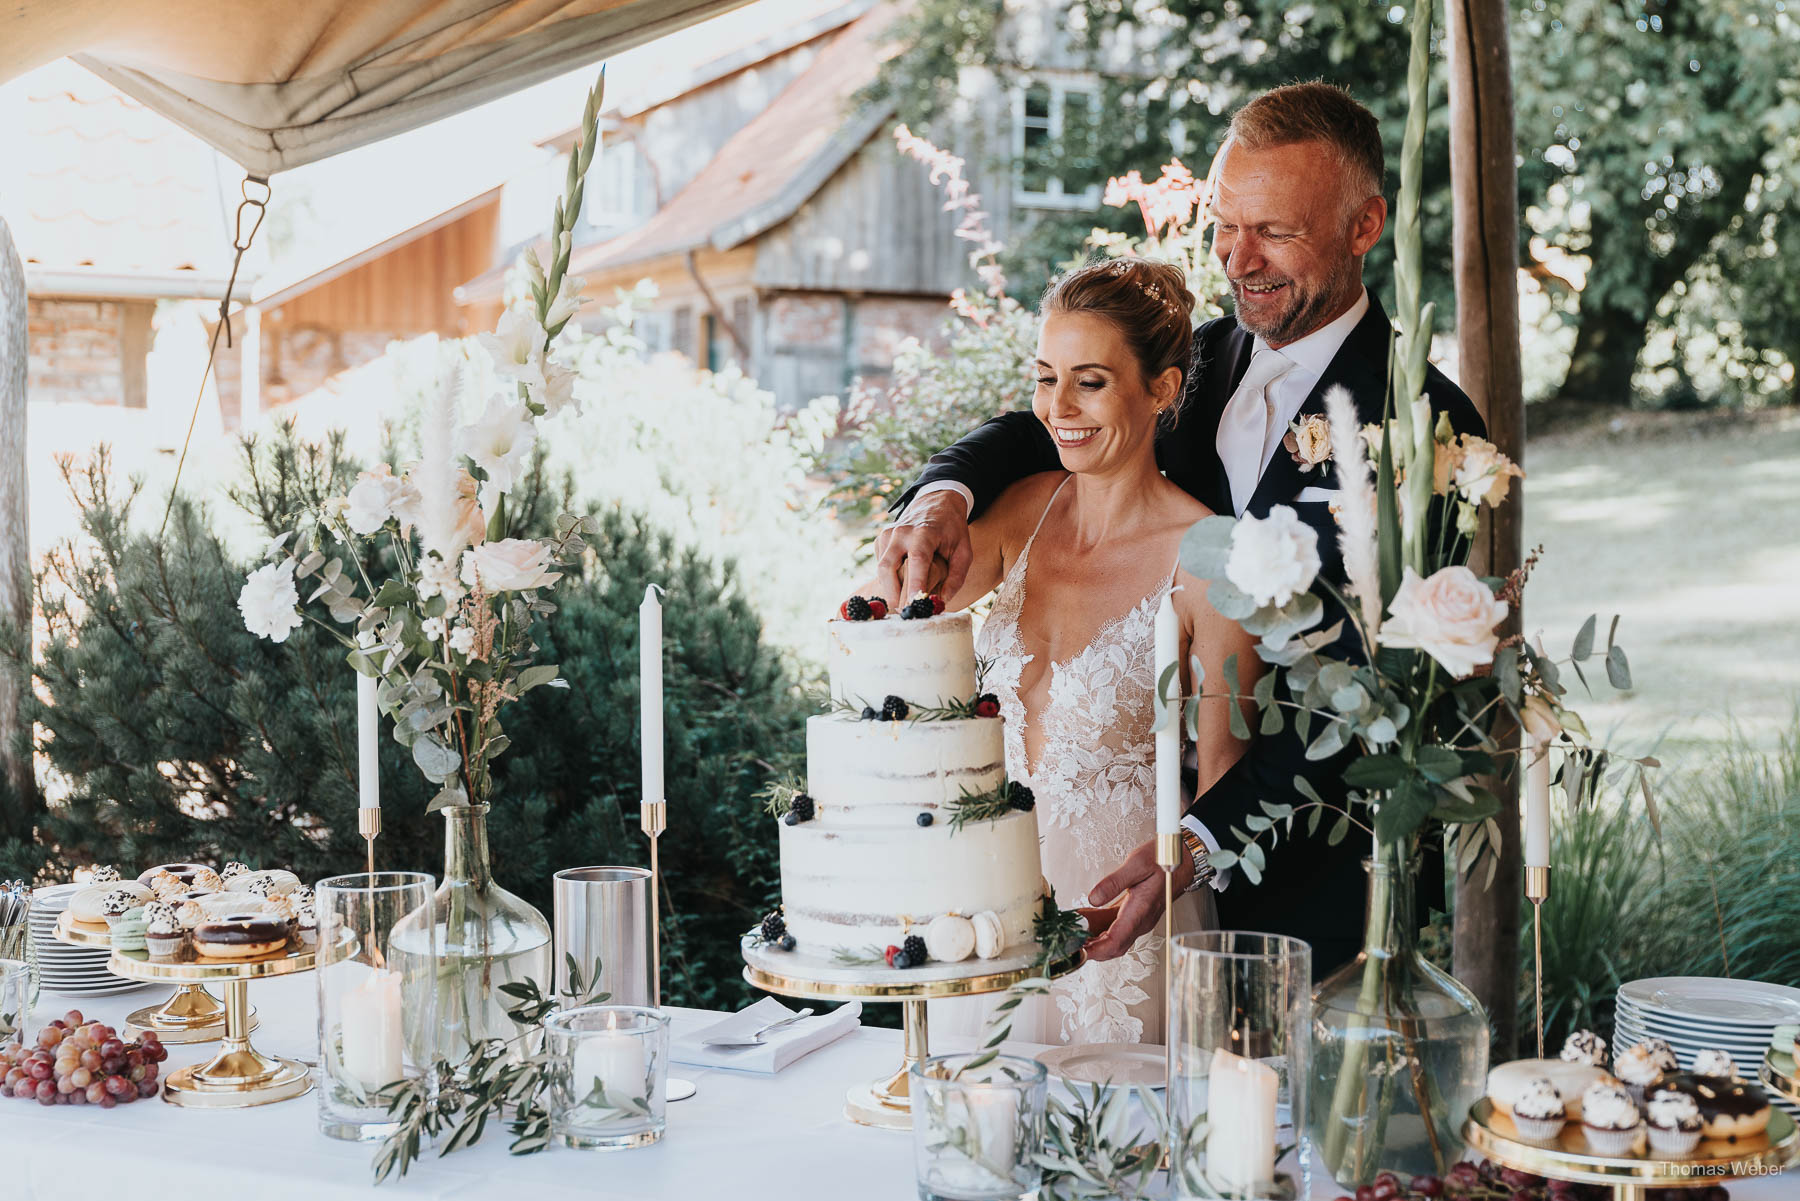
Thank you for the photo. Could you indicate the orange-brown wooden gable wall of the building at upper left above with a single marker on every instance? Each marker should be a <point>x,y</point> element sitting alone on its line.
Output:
<point>404,293</point>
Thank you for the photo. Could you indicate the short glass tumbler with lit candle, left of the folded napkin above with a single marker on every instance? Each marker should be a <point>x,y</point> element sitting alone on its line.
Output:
<point>609,1074</point>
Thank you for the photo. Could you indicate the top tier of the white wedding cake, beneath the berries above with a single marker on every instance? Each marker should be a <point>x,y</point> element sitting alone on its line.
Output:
<point>928,662</point>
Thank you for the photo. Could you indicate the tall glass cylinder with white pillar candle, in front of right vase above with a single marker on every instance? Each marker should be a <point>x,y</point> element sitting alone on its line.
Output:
<point>1241,1011</point>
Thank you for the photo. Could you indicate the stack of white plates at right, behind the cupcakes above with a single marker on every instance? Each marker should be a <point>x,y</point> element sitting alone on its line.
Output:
<point>1704,1013</point>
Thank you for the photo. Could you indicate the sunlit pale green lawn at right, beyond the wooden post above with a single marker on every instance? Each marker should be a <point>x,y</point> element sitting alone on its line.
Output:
<point>1686,528</point>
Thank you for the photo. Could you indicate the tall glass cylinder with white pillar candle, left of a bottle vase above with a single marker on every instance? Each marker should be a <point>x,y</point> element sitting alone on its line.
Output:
<point>377,997</point>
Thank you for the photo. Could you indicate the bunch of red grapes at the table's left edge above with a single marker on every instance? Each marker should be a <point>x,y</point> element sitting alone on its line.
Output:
<point>82,1063</point>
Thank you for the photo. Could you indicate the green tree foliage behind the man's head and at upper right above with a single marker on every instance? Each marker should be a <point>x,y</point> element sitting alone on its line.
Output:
<point>1653,145</point>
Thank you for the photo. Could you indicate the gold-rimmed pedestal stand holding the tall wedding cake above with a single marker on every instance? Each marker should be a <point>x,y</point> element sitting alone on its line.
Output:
<point>886,1103</point>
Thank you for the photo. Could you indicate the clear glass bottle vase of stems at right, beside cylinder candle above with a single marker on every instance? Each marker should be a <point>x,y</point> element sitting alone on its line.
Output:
<point>1399,1047</point>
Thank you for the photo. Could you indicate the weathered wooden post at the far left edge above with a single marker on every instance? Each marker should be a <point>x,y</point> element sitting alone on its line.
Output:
<point>21,795</point>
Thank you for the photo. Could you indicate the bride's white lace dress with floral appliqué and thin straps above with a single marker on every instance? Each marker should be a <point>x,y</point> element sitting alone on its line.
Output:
<point>1095,786</point>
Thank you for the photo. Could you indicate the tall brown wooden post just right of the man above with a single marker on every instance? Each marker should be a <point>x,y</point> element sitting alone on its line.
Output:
<point>1484,183</point>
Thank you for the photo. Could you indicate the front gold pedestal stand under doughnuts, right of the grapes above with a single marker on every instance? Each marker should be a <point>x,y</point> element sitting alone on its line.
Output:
<point>240,1076</point>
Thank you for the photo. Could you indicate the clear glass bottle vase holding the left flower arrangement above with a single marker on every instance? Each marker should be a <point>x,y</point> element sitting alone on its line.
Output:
<point>485,935</point>
